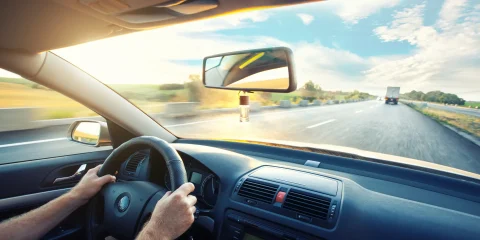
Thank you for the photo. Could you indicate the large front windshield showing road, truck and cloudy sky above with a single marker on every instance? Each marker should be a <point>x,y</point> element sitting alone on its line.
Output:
<point>394,77</point>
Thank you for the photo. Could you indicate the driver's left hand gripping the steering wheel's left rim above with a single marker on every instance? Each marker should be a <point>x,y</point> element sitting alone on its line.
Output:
<point>90,184</point>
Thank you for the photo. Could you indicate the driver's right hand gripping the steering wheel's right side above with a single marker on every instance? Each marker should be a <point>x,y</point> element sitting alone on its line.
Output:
<point>172,216</point>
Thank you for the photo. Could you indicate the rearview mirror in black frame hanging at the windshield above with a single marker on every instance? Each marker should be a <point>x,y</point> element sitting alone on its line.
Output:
<point>264,70</point>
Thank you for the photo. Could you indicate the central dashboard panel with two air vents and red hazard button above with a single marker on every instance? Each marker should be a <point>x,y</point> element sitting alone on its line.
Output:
<point>305,198</point>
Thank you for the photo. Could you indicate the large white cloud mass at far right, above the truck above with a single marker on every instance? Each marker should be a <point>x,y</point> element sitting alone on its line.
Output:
<point>446,52</point>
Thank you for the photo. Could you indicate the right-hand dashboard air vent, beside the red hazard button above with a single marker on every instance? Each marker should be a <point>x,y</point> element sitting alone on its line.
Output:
<point>308,204</point>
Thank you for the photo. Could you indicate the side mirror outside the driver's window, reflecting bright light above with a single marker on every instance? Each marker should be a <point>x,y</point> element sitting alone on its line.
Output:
<point>93,133</point>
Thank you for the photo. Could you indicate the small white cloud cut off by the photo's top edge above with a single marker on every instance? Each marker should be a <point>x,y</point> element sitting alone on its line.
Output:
<point>353,11</point>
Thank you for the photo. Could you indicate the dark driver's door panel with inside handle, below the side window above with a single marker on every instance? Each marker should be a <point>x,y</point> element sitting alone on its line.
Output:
<point>30,184</point>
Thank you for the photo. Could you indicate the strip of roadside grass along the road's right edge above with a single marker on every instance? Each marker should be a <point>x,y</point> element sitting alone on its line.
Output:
<point>466,123</point>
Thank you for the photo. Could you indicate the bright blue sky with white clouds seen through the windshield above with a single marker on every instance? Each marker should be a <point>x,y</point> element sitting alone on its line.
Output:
<point>340,45</point>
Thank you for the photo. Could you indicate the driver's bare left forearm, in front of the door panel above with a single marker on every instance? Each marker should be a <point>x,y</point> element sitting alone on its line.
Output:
<point>36,223</point>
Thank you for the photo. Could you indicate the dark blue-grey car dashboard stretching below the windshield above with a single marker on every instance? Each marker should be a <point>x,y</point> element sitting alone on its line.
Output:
<point>275,193</point>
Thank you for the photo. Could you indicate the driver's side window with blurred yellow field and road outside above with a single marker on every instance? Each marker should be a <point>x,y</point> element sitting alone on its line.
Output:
<point>34,121</point>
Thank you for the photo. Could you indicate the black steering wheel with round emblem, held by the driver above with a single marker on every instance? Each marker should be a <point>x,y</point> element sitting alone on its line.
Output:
<point>121,209</point>
